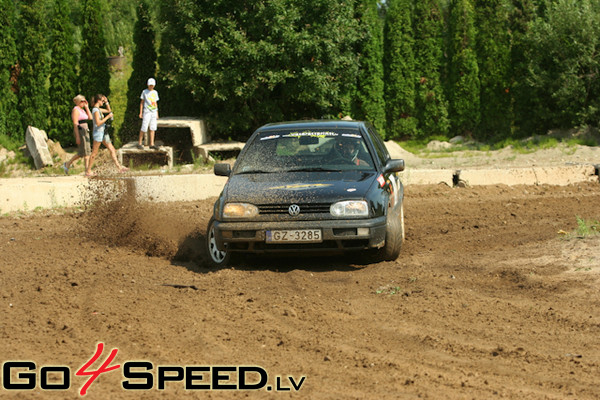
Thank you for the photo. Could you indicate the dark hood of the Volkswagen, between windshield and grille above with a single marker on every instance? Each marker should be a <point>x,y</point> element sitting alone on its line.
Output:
<point>298,187</point>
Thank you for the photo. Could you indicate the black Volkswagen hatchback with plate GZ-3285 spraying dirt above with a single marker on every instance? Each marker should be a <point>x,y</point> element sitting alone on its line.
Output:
<point>309,186</point>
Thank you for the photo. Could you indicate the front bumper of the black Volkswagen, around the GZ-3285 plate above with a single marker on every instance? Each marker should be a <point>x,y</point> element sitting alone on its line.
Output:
<point>338,235</point>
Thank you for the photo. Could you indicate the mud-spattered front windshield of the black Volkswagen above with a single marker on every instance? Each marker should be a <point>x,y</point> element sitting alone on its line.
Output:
<point>306,150</point>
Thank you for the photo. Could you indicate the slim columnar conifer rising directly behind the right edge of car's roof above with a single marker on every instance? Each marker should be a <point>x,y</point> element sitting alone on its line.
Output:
<point>370,104</point>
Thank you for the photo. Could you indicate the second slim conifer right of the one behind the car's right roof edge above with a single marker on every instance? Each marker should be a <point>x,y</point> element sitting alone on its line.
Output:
<point>430,103</point>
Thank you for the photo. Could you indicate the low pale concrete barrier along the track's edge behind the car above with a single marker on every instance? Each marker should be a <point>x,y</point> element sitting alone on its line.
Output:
<point>27,194</point>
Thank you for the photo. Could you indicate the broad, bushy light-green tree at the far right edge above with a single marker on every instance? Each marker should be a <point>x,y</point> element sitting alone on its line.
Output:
<point>564,64</point>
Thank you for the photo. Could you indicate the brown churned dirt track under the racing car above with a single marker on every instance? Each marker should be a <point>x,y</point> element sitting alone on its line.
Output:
<point>486,301</point>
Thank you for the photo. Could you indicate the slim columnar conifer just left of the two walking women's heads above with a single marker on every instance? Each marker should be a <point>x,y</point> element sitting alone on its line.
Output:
<point>63,73</point>
